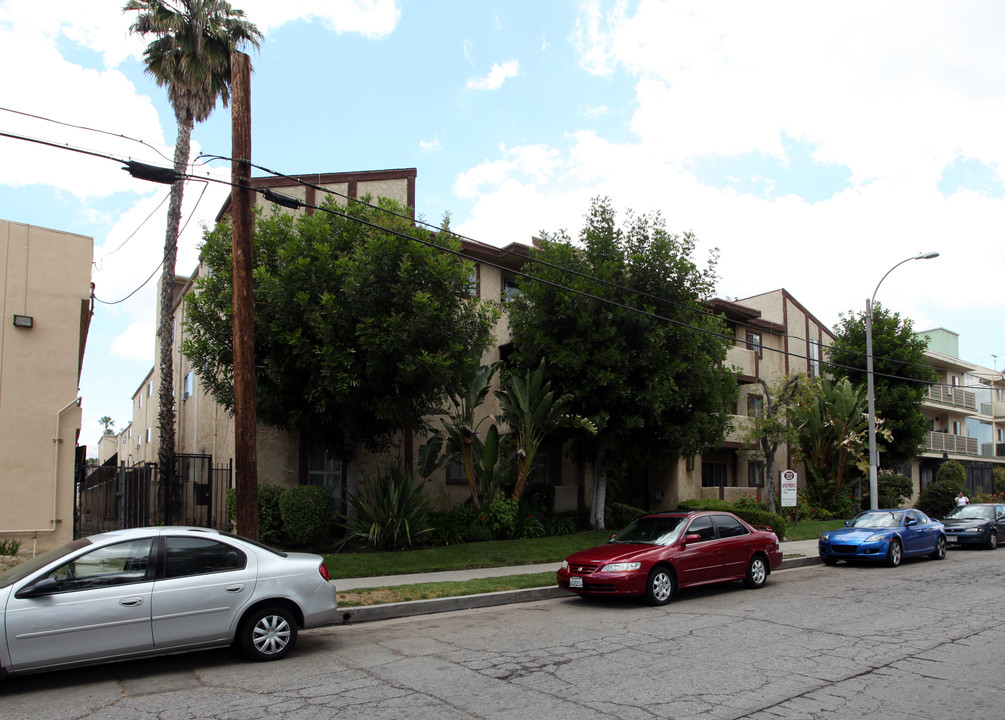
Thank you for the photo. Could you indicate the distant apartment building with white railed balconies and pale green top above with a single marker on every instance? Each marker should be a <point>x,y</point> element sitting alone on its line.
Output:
<point>966,410</point>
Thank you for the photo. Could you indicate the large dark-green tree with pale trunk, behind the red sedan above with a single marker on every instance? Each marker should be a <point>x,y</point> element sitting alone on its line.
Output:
<point>621,319</point>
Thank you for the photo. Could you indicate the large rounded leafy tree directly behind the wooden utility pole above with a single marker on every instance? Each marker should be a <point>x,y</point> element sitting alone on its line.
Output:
<point>361,322</point>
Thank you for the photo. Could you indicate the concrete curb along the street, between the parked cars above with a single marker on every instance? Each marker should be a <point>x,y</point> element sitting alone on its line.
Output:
<point>391,611</point>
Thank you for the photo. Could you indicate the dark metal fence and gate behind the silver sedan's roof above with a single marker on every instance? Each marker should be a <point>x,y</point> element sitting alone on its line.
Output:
<point>119,497</point>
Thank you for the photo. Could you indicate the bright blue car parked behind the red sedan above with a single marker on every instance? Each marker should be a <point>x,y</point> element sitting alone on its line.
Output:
<point>885,536</point>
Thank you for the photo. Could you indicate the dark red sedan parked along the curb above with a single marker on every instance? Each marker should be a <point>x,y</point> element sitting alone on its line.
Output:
<point>659,555</point>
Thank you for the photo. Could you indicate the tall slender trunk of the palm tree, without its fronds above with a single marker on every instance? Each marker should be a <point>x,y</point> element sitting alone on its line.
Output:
<point>166,330</point>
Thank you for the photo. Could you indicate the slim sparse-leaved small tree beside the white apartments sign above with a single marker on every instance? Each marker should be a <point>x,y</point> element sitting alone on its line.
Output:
<point>771,428</point>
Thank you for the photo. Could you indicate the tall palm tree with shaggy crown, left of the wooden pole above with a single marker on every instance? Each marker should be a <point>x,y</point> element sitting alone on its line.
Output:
<point>190,55</point>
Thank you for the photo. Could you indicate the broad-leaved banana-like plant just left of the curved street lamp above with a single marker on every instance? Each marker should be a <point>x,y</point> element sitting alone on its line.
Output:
<point>834,428</point>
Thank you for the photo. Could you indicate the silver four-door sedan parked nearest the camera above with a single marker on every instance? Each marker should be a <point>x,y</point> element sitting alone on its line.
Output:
<point>132,594</point>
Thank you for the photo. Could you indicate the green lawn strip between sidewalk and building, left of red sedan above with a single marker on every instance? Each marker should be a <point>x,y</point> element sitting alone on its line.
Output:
<point>496,554</point>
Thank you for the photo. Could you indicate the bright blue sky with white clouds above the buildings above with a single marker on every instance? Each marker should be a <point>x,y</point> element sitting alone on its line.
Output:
<point>813,146</point>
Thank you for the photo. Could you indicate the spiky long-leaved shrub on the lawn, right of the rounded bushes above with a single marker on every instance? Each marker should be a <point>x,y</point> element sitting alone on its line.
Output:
<point>389,510</point>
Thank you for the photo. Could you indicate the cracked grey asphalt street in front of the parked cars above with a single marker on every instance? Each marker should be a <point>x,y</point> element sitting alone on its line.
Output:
<point>921,641</point>
